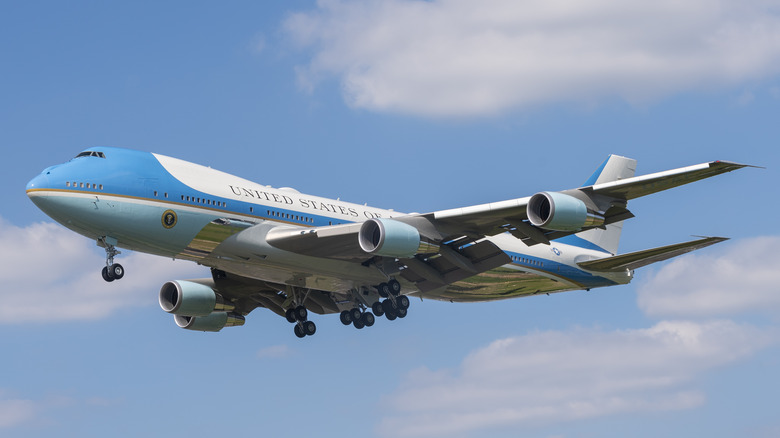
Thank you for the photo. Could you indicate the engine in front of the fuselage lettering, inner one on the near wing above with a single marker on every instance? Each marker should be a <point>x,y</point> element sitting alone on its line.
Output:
<point>391,238</point>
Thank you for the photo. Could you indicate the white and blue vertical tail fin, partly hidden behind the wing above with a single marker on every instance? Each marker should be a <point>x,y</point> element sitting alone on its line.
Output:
<point>614,168</point>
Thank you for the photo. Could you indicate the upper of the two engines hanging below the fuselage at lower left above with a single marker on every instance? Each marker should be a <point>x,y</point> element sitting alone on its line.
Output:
<point>188,298</point>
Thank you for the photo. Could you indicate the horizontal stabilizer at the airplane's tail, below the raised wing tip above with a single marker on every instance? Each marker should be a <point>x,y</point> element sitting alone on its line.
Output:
<point>639,259</point>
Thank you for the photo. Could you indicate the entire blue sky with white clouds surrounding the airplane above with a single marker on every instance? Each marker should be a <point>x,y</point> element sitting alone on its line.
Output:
<point>416,106</point>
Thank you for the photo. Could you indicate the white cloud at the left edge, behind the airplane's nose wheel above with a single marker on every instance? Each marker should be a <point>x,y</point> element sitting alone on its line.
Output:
<point>49,274</point>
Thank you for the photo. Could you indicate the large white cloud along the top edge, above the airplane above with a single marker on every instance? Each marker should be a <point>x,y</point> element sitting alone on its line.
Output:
<point>459,57</point>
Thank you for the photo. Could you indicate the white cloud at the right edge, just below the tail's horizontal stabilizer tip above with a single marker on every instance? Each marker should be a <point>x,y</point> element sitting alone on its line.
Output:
<point>727,280</point>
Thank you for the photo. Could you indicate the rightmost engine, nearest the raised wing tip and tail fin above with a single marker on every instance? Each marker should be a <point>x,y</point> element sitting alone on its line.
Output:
<point>561,212</point>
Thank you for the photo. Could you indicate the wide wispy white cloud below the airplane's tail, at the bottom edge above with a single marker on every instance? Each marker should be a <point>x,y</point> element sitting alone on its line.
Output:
<point>557,376</point>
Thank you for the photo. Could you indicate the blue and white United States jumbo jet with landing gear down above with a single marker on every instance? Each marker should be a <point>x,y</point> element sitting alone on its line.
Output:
<point>293,253</point>
